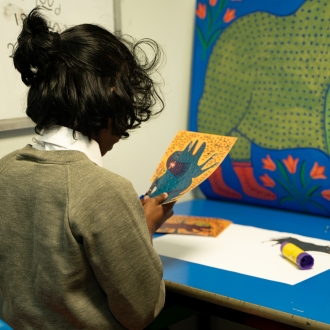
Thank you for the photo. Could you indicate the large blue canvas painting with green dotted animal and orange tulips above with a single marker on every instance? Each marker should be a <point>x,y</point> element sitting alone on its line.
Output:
<point>260,73</point>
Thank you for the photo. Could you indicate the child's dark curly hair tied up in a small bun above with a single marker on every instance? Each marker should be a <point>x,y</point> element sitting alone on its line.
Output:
<point>85,76</point>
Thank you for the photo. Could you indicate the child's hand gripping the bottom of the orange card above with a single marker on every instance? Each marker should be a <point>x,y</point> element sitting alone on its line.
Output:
<point>156,213</point>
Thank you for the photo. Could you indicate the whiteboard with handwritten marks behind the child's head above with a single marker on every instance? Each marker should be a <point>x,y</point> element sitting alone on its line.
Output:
<point>61,14</point>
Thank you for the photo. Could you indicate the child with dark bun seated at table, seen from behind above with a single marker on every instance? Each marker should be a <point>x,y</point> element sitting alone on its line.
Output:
<point>75,240</point>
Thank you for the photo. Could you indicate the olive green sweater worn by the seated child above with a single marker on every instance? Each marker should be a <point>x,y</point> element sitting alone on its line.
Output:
<point>75,252</point>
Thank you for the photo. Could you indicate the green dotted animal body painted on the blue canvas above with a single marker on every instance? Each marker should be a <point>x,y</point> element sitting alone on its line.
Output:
<point>267,82</point>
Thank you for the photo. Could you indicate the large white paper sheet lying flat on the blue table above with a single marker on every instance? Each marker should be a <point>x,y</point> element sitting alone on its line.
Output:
<point>244,249</point>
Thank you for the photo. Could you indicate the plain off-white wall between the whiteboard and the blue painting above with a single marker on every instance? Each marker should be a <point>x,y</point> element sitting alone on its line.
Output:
<point>170,23</point>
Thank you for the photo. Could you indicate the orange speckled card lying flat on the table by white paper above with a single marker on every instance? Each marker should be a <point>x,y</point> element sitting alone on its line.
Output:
<point>190,225</point>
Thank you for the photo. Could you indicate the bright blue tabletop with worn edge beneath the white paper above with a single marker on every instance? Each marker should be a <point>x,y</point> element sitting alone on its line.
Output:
<point>304,305</point>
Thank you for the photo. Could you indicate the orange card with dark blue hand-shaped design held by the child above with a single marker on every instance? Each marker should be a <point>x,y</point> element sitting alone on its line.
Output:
<point>189,160</point>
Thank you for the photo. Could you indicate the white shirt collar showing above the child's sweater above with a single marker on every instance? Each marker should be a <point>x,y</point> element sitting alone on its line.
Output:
<point>60,137</point>
